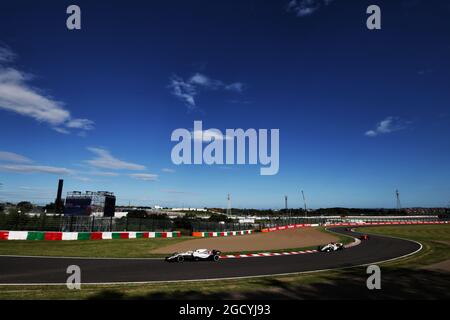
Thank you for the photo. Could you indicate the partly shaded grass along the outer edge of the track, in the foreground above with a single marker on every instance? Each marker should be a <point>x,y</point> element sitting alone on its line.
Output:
<point>403,279</point>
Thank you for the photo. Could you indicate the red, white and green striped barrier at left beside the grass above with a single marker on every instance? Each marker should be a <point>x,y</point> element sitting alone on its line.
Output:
<point>51,236</point>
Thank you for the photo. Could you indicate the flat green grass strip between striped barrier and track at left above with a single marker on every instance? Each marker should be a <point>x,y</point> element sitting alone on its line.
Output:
<point>119,248</point>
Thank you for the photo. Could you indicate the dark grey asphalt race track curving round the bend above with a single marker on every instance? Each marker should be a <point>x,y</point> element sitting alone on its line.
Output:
<point>44,270</point>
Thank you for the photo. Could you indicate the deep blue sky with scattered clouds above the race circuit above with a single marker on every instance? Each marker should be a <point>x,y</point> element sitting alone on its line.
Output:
<point>360,112</point>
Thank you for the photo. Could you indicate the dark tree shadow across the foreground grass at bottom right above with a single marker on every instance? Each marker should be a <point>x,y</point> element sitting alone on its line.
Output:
<point>349,284</point>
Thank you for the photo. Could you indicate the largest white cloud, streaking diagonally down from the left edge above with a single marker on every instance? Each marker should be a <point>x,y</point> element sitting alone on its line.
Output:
<point>16,95</point>
